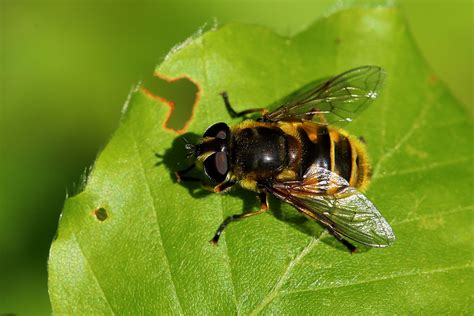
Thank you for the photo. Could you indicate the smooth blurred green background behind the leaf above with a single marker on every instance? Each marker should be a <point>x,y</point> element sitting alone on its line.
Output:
<point>66,68</point>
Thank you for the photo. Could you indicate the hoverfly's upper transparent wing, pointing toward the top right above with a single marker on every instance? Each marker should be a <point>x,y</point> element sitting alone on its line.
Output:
<point>335,101</point>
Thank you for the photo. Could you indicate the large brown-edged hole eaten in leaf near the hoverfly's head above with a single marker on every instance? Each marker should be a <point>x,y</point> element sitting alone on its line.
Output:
<point>180,94</point>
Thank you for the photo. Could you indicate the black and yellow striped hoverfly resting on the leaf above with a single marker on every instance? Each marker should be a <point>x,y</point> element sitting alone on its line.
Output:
<point>297,154</point>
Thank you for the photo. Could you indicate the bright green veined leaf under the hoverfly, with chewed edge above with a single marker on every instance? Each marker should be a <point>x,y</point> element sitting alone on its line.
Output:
<point>135,242</point>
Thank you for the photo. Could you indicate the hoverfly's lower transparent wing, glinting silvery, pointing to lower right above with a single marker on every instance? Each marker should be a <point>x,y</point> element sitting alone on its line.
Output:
<point>326,197</point>
